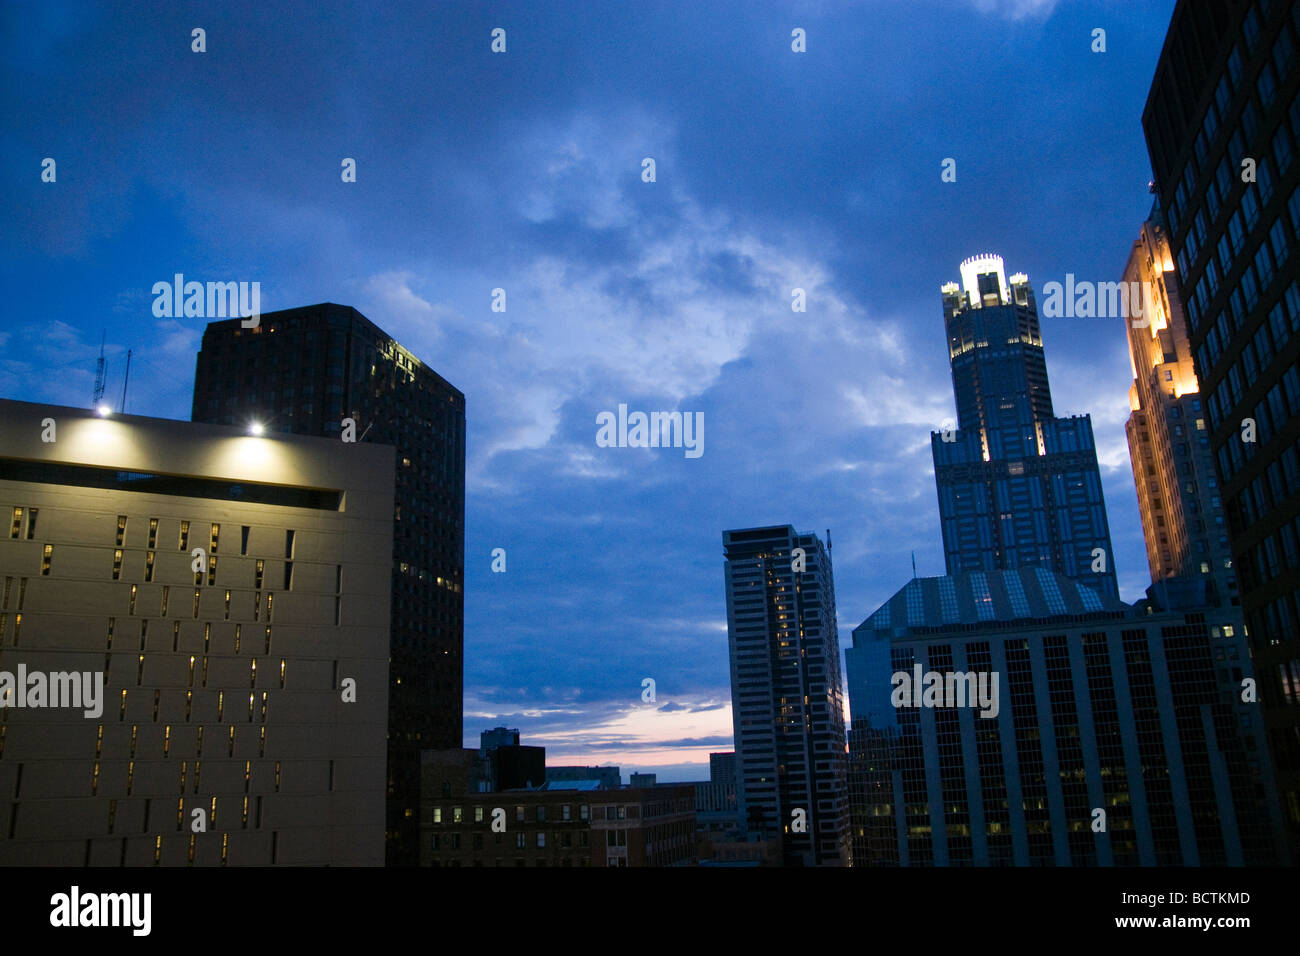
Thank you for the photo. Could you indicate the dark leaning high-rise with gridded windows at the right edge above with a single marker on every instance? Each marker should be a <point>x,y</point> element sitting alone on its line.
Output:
<point>1223,128</point>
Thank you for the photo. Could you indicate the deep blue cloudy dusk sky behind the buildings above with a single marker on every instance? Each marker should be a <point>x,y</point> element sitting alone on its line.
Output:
<point>523,171</point>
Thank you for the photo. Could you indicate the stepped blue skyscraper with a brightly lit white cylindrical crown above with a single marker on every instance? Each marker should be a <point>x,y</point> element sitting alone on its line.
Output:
<point>1017,486</point>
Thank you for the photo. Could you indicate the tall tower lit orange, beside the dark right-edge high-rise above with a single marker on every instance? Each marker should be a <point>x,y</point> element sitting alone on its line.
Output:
<point>1178,494</point>
